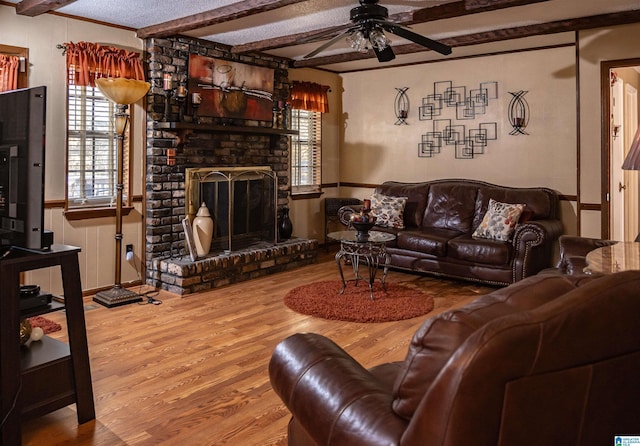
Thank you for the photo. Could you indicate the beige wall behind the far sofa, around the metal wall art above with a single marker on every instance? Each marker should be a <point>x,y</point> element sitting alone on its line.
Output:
<point>374,150</point>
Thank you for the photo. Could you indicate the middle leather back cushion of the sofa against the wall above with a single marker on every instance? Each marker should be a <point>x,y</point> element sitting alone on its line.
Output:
<point>450,206</point>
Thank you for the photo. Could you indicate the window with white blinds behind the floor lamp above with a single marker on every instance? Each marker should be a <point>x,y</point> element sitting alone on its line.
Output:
<point>91,149</point>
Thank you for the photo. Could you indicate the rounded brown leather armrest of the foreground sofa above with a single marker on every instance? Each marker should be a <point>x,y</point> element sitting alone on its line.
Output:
<point>331,395</point>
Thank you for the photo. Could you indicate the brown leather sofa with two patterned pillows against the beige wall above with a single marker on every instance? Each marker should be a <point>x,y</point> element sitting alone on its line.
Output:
<point>440,217</point>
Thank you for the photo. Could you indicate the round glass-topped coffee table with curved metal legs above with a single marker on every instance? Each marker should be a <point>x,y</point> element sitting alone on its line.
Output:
<point>370,250</point>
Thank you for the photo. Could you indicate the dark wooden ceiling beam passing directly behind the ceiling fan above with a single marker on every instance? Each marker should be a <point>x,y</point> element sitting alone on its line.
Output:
<point>445,11</point>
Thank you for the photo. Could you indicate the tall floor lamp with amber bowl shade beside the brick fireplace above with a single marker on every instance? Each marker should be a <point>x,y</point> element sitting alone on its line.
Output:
<point>122,92</point>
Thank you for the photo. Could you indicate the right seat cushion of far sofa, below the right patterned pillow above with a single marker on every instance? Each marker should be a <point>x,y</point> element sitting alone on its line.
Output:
<point>485,251</point>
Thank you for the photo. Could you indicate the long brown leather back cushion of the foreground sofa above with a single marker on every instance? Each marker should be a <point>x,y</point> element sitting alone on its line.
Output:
<point>439,337</point>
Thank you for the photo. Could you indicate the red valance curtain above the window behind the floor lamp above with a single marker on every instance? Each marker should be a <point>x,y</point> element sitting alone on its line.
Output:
<point>88,61</point>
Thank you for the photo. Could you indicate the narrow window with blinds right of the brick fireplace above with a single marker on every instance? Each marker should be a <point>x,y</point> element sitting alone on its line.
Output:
<point>306,150</point>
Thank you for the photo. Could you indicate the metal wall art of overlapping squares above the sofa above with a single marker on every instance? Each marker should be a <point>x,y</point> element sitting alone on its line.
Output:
<point>467,143</point>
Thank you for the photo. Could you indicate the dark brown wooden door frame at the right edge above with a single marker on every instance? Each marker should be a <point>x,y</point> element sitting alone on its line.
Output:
<point>605,138</point>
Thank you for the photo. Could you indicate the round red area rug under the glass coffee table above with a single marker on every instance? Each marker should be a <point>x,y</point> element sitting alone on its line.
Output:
<point>323,299</point>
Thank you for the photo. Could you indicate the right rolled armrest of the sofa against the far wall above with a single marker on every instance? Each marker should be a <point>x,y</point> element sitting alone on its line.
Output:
<point>532,247</point>
